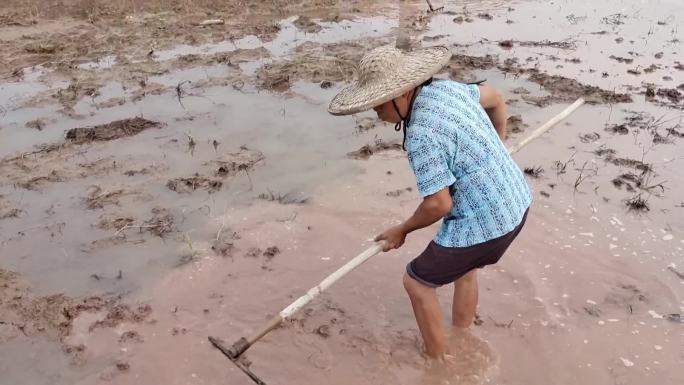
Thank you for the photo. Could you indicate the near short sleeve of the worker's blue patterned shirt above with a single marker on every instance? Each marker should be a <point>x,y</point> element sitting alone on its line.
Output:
<point>429,161</point>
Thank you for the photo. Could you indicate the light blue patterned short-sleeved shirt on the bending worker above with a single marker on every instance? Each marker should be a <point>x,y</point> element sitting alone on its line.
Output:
<point>452,143</point>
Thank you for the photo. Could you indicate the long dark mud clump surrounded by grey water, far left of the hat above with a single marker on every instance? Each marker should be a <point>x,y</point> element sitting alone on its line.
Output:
<point>110,131</point>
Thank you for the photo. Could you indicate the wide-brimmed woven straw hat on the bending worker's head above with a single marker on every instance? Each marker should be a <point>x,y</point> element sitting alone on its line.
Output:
<point>386,73</point>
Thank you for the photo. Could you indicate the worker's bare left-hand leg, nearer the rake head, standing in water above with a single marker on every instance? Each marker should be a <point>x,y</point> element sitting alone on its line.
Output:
<point>428,314</point>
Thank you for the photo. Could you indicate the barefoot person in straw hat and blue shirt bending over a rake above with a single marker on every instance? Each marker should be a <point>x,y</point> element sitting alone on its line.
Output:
<point>453,134</point>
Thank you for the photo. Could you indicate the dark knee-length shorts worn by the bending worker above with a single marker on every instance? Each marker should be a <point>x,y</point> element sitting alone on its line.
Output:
<point>439,265</point>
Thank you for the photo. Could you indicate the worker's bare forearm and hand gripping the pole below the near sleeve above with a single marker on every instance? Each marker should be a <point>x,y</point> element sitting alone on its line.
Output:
<point>433,208</point>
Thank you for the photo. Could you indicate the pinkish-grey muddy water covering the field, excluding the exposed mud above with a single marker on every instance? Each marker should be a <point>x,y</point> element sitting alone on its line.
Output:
<point>583,295</point>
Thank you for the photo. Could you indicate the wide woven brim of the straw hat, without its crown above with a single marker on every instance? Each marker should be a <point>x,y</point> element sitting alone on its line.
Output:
<point>418,66</point>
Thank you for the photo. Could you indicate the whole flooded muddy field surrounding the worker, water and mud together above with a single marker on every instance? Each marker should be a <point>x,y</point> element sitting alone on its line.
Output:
<point>162,181</point>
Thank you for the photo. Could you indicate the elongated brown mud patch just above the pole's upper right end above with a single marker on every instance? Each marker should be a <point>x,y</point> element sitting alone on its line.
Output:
<point>565,89</point>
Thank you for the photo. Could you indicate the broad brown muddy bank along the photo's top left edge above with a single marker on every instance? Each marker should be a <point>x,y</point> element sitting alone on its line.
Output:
<point>88,34</point>
